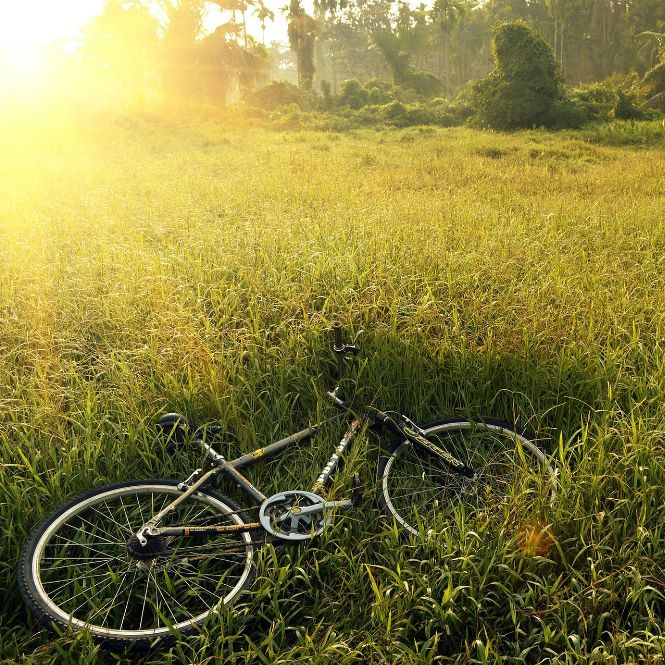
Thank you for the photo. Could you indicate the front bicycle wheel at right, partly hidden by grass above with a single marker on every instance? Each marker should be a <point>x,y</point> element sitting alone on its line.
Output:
<point>422,493</point>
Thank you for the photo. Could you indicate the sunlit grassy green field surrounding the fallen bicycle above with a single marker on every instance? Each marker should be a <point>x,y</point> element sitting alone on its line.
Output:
<point>149,268</point>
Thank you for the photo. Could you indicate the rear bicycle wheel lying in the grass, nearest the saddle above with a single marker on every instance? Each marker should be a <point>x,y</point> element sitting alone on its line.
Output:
<point>77,570</point>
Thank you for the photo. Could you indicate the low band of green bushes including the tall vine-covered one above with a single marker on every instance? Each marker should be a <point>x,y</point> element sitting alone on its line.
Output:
<point>524,89</point>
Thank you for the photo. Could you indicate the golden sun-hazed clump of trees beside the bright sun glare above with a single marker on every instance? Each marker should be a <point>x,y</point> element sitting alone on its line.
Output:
<point>136,50</point>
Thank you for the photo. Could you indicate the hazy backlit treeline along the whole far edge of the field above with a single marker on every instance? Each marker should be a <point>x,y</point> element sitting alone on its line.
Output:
<point>136,50</point>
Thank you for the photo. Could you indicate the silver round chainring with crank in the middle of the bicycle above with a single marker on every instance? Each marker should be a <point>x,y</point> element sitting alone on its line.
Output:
<point>279,515</point>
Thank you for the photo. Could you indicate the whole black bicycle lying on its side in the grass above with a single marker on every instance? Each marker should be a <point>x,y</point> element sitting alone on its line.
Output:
<point>138,562</point>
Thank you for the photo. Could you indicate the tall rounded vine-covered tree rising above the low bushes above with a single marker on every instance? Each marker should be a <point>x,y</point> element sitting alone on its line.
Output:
<point>525,84</point>
